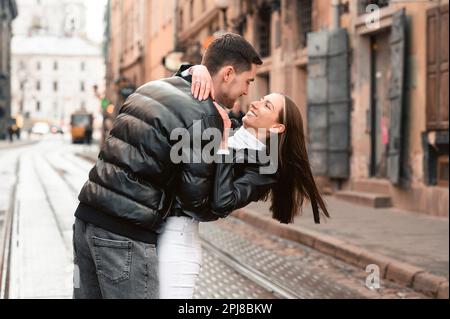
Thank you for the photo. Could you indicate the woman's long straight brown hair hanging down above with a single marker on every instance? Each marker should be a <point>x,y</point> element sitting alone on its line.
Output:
<point>295,180</point>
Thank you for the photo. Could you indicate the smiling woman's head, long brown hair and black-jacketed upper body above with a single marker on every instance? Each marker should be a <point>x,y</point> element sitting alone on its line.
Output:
<point>239,184</point>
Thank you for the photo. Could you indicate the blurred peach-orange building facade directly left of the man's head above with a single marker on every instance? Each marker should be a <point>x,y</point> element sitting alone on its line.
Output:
<point>138,36</point>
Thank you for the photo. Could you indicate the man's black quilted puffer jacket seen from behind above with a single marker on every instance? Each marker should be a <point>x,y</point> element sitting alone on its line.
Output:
<point>134,184</point>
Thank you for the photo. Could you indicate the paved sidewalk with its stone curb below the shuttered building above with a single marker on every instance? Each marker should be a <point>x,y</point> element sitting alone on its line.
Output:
<point>410,248</point>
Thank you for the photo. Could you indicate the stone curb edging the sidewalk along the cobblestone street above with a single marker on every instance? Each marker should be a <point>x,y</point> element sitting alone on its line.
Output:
<point>391,269</point>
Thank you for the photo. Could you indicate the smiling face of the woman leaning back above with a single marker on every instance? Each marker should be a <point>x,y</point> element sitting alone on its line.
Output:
<point>265,113</point>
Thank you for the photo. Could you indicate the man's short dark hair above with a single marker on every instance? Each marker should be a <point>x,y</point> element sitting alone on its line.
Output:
<point>231,49</point>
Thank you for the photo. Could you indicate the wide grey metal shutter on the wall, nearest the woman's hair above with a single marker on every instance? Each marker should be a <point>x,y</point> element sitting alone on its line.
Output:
<point>329,103</point>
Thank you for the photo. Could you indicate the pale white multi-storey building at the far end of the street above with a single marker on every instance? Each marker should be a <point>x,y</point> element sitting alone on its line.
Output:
<point>54,65</point>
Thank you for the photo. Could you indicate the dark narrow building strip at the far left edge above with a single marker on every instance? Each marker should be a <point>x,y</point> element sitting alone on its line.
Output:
<point>8,12</point>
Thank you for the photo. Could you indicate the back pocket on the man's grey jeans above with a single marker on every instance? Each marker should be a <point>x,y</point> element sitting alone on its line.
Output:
<point>113,258</point>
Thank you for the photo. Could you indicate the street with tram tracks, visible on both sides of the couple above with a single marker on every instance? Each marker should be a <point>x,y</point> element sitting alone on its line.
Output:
<point>239,260</point>
